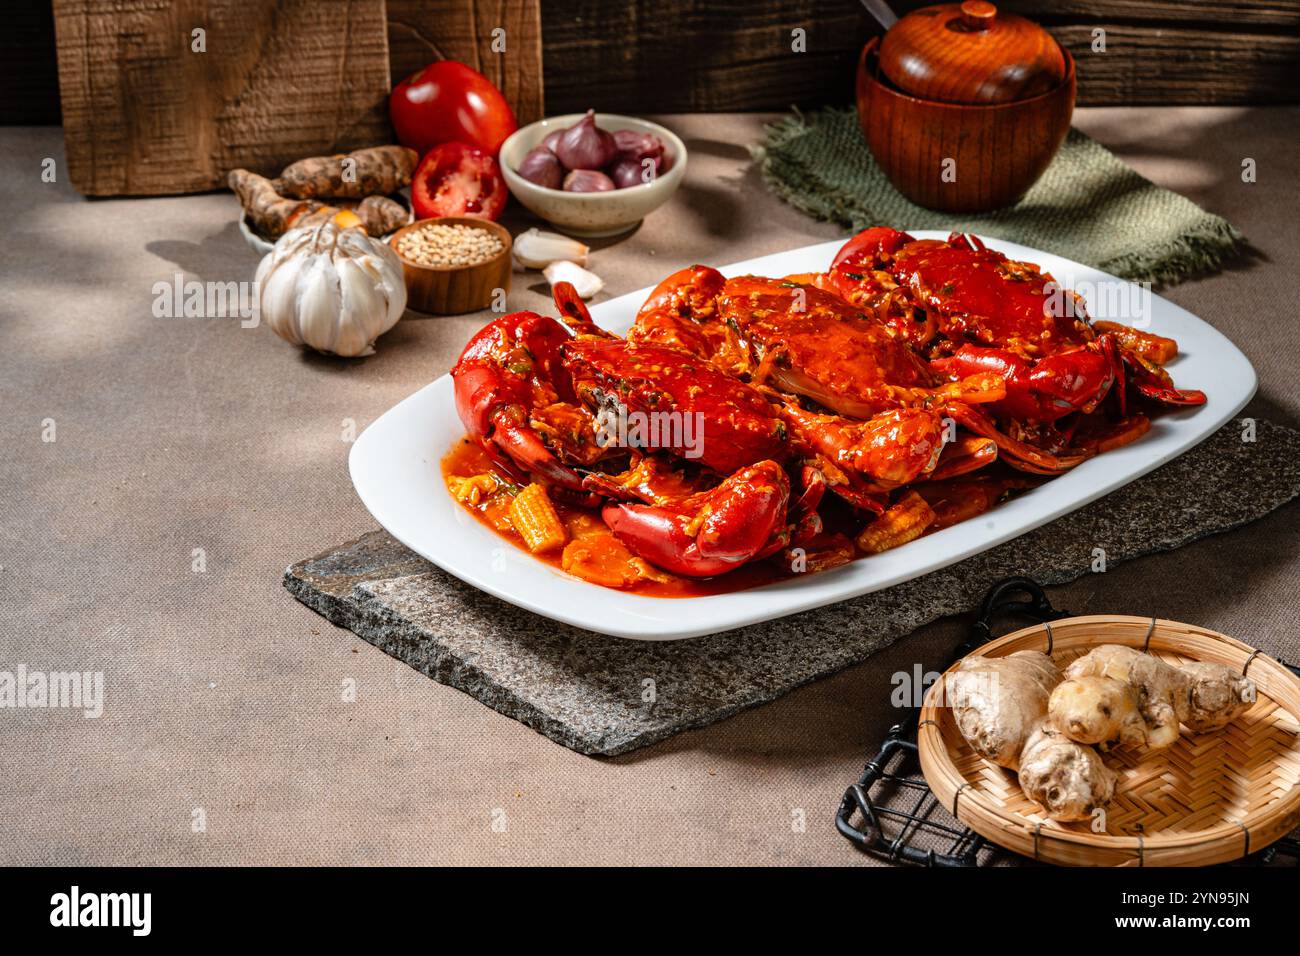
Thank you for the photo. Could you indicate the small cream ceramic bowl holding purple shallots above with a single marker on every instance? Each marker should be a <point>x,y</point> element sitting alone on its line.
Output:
<point>592,214</point>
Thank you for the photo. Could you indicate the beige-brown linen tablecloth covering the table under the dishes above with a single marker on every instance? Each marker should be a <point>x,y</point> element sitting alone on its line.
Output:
<point>226,737</point>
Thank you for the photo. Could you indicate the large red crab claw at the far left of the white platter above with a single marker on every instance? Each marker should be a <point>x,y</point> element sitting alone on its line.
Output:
<point>499,380</point>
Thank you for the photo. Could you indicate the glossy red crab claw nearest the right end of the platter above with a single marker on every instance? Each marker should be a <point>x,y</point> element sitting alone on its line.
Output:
<point>1042,391</point>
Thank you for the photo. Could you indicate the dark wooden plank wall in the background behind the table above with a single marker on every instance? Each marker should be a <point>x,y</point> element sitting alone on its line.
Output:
<point>647,57</point>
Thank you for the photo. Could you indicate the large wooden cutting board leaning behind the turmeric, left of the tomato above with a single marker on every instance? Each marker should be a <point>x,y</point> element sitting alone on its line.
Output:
<point>146,115</point>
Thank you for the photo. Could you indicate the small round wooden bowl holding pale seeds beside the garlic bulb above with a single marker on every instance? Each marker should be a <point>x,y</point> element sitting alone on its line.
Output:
<point>456,289</point>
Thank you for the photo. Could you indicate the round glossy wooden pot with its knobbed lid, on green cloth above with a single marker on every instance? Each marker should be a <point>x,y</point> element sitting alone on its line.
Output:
<point>963,106</point>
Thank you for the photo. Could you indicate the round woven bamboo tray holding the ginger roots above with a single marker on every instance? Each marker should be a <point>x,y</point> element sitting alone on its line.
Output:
<point>1208,799</point>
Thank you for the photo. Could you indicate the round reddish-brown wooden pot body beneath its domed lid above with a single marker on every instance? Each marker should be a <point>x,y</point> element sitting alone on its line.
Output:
<point>998,150</point>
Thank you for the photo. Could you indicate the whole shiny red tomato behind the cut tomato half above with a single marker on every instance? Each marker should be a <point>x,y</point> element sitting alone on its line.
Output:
<point>449,102</point>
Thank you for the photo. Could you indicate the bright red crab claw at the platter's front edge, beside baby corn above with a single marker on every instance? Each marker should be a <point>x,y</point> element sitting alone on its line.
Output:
<point>714,533</point>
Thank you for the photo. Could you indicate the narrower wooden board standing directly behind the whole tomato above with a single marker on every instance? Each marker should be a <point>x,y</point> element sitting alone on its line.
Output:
<point>422,32</point>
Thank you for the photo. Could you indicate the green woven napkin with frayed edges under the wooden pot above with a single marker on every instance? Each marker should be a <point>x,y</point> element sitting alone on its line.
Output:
<point>1089,206</point>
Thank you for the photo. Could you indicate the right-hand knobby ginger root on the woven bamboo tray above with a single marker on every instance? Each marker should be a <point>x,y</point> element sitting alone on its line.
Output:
<point>1116,697</point>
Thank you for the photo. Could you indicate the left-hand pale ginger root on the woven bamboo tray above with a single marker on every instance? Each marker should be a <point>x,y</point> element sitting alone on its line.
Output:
<point>1000,706</point>
